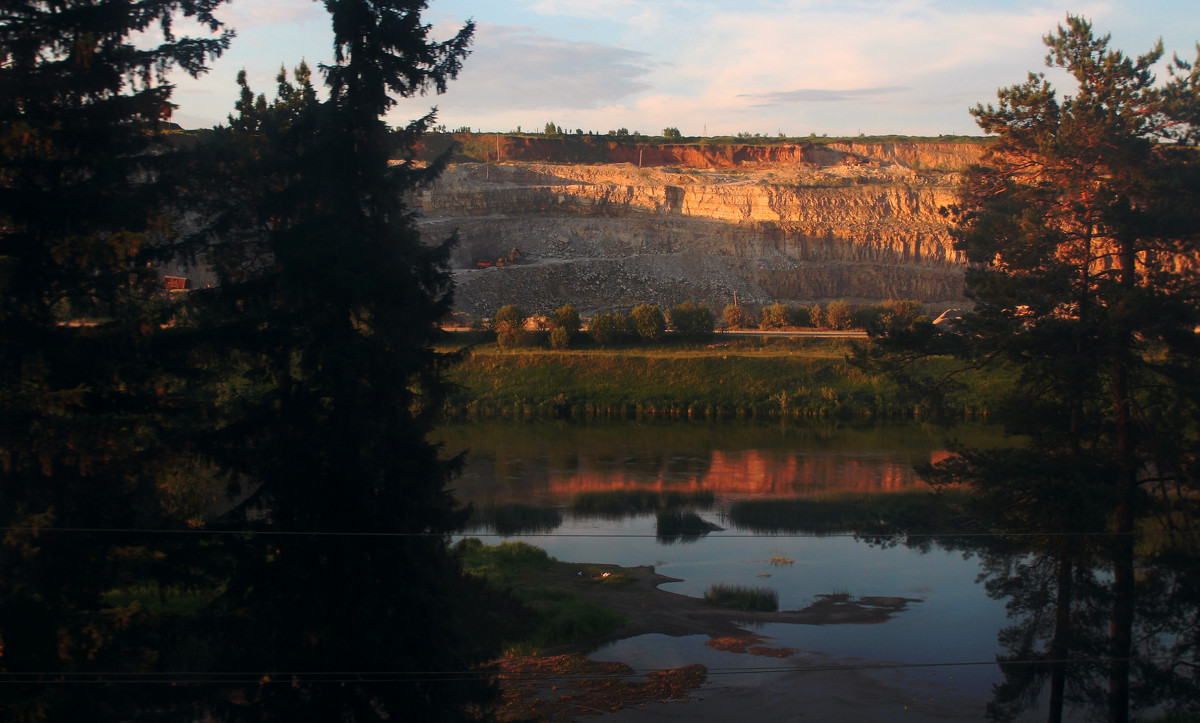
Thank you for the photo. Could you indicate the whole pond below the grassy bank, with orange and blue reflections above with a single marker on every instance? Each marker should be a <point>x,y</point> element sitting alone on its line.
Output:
<point>580,491</point>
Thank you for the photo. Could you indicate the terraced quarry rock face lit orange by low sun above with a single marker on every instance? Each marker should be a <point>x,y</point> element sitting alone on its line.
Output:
<point>799,224</point>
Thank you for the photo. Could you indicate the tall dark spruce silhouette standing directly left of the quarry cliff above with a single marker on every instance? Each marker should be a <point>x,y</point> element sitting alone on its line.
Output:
<point>327,309</point>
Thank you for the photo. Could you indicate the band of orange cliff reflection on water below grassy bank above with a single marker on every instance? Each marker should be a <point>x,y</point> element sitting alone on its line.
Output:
<point>548,464</point>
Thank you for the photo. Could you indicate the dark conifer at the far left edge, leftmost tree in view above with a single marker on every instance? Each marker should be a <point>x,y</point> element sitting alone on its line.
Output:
<point>82,396</point>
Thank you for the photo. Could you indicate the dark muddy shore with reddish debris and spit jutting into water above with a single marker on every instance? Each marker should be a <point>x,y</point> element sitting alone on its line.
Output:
<point>813,686</point>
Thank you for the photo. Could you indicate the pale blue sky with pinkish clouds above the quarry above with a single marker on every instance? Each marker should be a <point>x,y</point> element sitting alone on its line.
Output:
<point>838,68</point>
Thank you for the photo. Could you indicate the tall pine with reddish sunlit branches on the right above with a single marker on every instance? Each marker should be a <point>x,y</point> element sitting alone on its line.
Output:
<point>1082,229</point>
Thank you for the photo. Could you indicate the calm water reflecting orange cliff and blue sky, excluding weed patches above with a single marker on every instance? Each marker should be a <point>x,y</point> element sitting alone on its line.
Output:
<point>950,637</point>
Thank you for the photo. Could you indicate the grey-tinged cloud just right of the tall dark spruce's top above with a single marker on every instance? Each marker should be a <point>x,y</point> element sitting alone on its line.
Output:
<point>514,68</point>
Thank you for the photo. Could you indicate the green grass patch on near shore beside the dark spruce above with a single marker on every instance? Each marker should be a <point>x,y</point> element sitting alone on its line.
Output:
<point>554,617</point>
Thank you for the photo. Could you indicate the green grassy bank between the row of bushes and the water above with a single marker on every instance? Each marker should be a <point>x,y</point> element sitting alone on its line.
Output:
<point>767,379</point>
